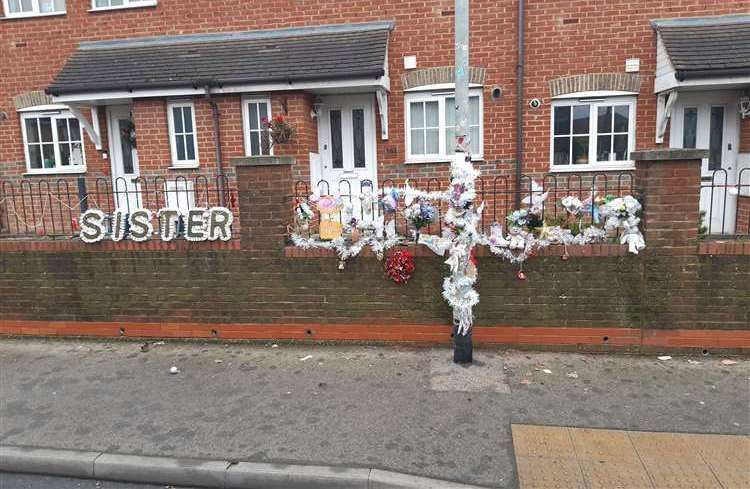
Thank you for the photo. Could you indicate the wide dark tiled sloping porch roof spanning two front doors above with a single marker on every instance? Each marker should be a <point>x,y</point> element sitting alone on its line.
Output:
<point>225,61</point>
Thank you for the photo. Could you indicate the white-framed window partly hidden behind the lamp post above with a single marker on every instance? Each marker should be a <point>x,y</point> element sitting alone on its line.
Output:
<point>431,122</point>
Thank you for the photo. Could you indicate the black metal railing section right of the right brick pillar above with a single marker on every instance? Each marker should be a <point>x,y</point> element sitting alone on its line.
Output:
<point>725,203</point>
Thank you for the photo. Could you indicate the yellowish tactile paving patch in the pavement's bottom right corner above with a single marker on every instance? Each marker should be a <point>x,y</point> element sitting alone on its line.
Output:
<point>550,457</point>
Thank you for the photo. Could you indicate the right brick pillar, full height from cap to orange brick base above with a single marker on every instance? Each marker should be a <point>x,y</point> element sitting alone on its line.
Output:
<point>667,182</point>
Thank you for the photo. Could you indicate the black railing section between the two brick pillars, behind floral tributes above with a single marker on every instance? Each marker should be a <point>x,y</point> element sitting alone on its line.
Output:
<point>497,193</point>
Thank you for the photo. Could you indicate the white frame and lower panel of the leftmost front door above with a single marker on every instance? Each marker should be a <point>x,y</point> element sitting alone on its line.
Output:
<point>131,199</point>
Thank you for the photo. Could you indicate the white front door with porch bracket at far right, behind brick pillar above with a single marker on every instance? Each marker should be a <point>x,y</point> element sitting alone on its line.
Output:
<point>710,120</point>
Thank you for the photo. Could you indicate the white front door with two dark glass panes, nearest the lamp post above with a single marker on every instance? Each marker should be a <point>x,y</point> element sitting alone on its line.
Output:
<point>347,144</point>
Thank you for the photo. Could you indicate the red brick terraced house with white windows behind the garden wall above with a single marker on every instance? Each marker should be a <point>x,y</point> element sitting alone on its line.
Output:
<point>118,89</point>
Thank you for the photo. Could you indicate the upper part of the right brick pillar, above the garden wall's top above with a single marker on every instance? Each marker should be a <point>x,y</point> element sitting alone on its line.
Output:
<point>668,183</point>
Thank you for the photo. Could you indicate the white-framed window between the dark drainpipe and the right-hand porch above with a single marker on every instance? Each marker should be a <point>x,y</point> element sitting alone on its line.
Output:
<point>592,134</point>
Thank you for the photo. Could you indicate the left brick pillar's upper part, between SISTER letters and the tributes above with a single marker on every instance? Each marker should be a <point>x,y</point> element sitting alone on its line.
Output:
<point>264,187</point>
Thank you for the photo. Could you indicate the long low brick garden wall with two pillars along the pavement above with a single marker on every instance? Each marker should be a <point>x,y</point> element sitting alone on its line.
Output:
<point>678,293</point>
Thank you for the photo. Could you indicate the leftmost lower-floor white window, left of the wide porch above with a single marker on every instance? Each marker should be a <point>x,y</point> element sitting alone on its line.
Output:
<point>53,143</point>
